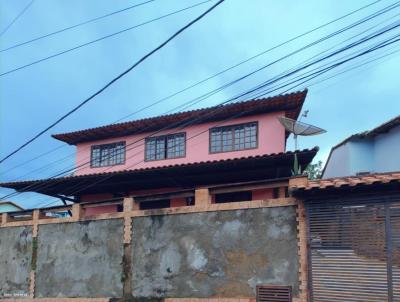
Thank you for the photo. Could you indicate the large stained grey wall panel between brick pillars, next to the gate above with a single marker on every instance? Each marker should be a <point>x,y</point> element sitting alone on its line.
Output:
<point>223,254</point>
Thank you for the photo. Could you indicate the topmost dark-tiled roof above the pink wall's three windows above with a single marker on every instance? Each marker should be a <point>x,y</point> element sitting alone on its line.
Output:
<point>289,103</point>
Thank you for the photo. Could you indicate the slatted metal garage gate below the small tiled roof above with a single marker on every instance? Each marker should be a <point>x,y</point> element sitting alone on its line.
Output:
<point>354,250</point>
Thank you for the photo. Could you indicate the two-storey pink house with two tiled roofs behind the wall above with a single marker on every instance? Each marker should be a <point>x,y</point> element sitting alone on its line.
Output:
<point>237,151</point>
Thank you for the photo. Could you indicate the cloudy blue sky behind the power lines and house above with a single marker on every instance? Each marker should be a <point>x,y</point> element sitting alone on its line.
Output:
<point>33,97</point>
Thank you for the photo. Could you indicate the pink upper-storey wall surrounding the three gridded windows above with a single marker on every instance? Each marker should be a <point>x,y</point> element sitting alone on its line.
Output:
<point>271,139</point>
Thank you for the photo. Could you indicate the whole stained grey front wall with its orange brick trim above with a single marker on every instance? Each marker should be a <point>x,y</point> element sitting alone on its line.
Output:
<point>206,252</point>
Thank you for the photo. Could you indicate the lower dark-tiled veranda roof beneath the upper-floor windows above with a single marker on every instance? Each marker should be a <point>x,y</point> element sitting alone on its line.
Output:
<point>276,160</point>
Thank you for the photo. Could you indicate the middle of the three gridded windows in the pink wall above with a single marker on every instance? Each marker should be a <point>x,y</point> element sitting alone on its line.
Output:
<point>165,147</point>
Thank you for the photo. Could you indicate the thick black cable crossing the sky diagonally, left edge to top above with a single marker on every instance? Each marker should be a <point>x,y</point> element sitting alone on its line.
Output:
<point>114,80</point>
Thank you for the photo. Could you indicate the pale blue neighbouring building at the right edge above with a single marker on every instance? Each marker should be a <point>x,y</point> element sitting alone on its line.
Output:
<point>373,151</point>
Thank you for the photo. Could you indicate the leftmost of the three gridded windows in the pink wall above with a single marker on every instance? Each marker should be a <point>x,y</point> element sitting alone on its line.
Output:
<point>108,155</point>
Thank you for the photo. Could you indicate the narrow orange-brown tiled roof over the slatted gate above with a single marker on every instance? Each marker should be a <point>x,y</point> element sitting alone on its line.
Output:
<point>348,182</point>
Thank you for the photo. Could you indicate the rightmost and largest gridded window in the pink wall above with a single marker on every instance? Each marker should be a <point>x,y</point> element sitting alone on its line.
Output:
<point>234,137</point>
